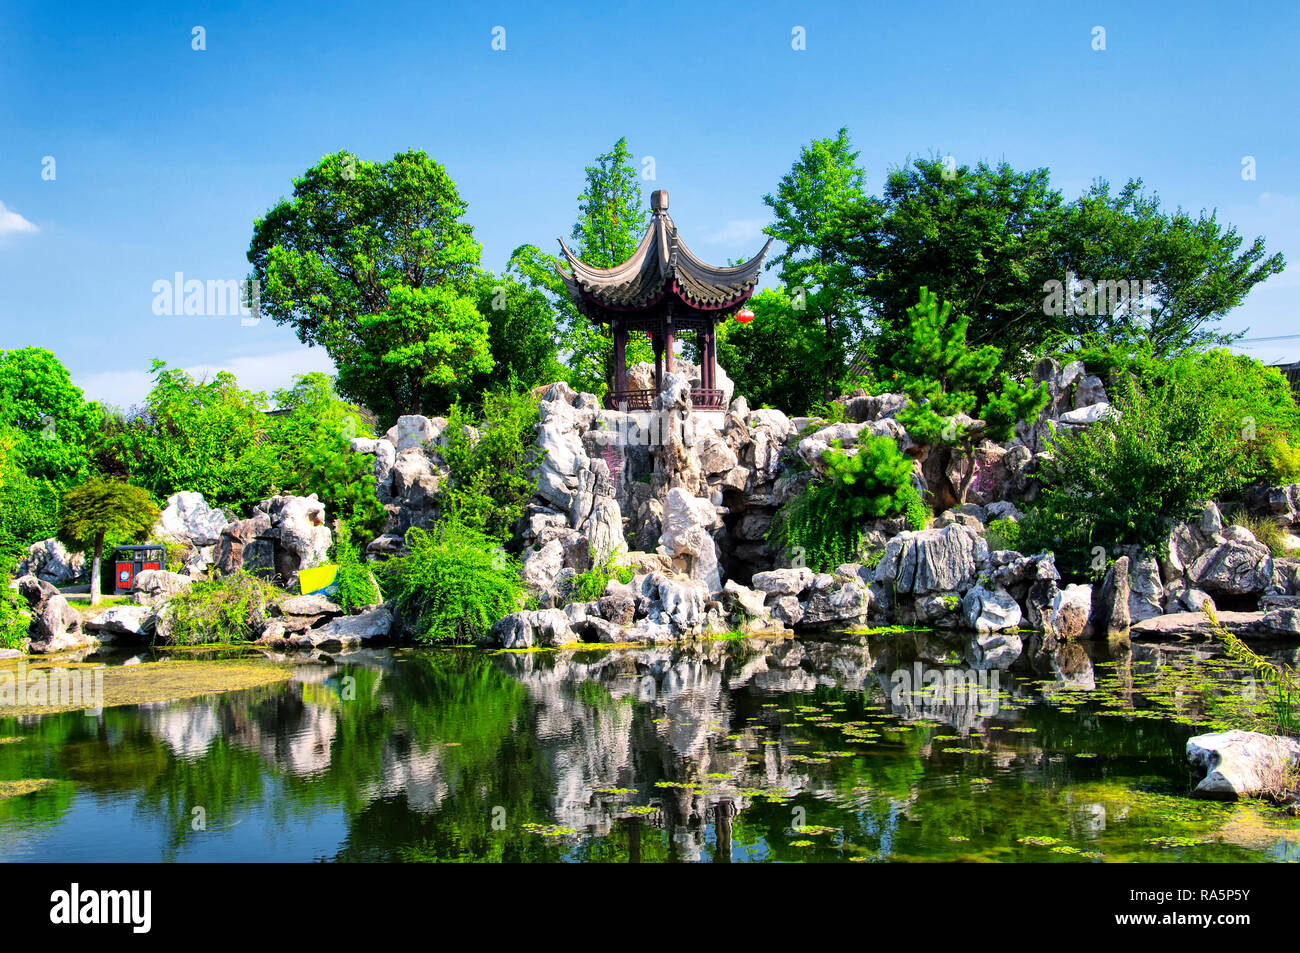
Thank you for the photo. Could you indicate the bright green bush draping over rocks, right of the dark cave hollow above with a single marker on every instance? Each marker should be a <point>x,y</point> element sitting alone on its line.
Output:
<point>825,522</point>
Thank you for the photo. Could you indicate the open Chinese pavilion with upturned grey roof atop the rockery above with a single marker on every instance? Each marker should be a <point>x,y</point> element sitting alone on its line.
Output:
<point>661,291</point>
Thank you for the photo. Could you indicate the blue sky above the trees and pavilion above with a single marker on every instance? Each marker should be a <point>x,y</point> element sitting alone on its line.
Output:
<point>166,155</point>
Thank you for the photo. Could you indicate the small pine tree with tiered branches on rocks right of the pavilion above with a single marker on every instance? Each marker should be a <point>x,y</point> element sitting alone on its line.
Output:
<point>957,395</point>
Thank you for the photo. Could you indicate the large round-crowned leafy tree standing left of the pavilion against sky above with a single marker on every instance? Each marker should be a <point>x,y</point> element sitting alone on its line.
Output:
<point>375,263</point>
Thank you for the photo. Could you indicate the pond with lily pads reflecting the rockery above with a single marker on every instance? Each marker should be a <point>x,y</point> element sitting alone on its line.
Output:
<point>861,748</point>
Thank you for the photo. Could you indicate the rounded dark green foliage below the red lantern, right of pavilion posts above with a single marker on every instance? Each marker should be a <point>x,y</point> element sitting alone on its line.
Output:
<point>779,358</point>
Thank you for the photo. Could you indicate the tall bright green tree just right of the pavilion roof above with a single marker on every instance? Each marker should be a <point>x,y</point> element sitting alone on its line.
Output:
<point>824,216</point>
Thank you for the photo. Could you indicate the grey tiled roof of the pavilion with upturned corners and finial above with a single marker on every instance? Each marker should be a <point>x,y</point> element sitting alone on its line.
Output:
<point>661,268</point>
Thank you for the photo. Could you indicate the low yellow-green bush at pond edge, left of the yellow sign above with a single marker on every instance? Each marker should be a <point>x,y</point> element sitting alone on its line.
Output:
<point>227,609</point>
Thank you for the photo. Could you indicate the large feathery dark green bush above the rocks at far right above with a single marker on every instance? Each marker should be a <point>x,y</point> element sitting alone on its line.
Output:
<point>1119,482</point>
